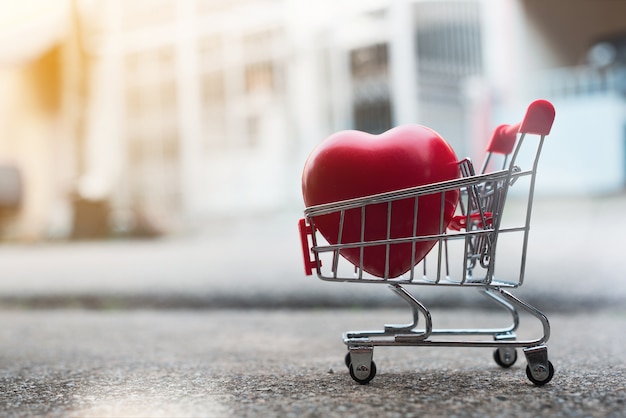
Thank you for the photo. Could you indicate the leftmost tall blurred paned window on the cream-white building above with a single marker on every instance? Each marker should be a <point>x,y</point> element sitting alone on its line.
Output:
<point>153,143</point>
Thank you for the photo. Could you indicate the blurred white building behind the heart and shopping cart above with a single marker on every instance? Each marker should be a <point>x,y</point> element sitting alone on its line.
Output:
<point>205,108</point>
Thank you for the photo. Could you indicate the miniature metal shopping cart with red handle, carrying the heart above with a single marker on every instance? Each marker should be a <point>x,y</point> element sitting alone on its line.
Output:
<point>493,213</point>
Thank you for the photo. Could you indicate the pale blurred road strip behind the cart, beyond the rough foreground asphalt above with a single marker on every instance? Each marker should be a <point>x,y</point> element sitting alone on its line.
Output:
<point>576,260</point>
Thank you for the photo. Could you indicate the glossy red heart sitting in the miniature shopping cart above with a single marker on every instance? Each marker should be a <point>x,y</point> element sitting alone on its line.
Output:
<point>351,164</point>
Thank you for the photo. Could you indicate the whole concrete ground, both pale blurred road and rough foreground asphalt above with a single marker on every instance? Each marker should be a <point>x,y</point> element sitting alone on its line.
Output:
<point>224,323</point>
